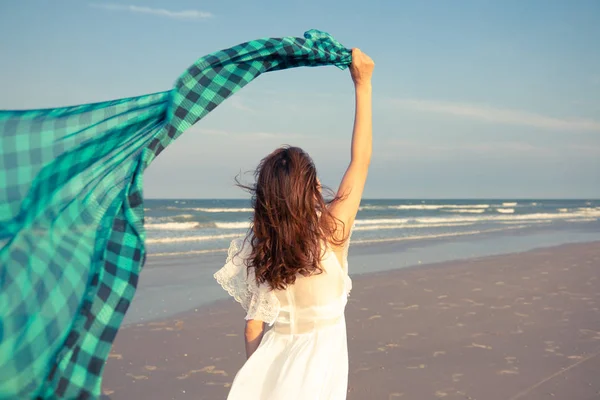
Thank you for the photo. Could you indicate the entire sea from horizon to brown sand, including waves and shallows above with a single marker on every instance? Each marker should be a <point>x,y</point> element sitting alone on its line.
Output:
<point>187,240</point>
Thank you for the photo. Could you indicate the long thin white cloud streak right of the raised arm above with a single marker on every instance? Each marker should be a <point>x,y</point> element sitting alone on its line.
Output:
<point>499,115</point>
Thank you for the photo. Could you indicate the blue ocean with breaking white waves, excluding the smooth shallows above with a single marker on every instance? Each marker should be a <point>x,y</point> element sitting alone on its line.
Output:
<point>188,227</point>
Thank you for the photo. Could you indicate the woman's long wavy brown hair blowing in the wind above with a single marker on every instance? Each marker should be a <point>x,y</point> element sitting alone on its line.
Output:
<point>291,220</point>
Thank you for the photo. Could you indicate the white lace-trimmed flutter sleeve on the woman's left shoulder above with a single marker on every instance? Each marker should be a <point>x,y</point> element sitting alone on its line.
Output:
<point>259,301</point>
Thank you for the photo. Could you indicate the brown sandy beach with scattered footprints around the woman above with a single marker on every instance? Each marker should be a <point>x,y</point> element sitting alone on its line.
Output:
<point>517,326</point>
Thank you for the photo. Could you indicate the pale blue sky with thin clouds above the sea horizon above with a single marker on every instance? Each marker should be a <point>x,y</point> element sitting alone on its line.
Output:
<point>471,98</point>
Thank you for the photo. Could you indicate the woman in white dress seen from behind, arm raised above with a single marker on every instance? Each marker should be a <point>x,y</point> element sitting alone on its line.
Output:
<point>291,271</point>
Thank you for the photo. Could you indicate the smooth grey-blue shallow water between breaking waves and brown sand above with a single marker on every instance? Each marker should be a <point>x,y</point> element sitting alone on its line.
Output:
<point>171,285</point>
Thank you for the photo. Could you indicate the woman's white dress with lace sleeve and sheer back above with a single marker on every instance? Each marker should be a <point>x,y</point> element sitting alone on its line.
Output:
<point>304,354</point>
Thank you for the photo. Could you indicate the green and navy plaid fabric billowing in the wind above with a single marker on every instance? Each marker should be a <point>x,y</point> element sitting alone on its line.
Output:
<point>71,212</point>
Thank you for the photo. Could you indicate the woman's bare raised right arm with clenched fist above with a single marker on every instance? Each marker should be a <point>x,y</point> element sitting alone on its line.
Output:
<point>352,185</point>
